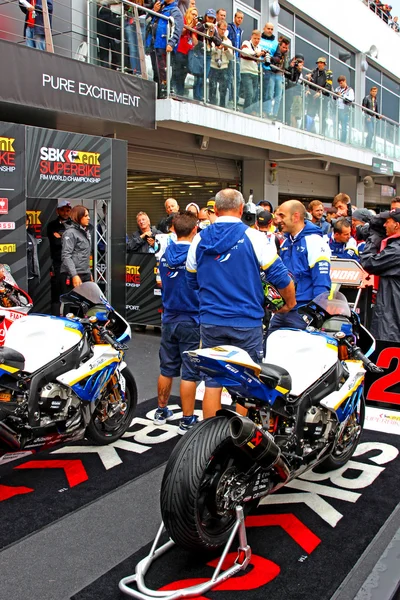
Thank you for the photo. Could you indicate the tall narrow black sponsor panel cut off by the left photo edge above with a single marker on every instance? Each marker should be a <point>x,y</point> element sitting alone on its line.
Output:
<point>12,200</point>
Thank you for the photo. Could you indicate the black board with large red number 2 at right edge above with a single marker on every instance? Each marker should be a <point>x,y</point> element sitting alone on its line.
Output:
<point>384,388</point>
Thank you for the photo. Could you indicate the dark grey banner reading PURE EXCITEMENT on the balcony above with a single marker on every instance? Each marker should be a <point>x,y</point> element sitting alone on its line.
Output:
<point>62,85</point>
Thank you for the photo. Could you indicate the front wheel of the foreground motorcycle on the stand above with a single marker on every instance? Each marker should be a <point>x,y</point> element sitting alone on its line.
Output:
<point>344,449</point>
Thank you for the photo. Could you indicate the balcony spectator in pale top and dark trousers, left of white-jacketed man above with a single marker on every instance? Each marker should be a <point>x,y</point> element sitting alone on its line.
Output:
<point>221,56</point>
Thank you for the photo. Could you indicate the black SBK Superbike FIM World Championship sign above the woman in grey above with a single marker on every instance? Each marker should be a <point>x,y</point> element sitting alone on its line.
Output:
<point>67,165</point>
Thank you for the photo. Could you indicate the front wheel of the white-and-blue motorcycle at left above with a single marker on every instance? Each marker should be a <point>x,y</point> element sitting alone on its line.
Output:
<point>104,429</point>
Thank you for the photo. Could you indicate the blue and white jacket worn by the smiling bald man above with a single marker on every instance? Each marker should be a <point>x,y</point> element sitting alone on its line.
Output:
<point>307,257</point>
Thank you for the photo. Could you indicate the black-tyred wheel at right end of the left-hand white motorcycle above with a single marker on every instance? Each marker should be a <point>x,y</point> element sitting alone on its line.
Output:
<point>105,432</point>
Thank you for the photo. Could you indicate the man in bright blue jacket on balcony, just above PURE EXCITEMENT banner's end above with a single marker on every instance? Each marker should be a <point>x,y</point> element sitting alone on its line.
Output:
<point>160,41</point>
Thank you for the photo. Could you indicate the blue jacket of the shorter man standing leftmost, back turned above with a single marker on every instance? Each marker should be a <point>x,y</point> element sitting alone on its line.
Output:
<point>179,301</point>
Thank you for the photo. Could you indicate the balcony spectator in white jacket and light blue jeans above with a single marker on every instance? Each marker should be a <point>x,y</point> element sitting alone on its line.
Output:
<point>249,72</point>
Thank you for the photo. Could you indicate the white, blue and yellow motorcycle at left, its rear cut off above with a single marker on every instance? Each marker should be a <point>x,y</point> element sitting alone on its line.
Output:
<point>62,379</point>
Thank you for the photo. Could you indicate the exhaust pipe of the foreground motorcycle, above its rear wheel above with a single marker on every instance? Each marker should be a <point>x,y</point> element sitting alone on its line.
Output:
<point>258,445</point>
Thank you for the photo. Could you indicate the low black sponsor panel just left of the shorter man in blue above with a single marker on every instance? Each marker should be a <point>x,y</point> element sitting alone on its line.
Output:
<point>143,295</point>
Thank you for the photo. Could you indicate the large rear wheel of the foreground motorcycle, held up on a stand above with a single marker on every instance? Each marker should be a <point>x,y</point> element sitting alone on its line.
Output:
<point>197,476</point>
